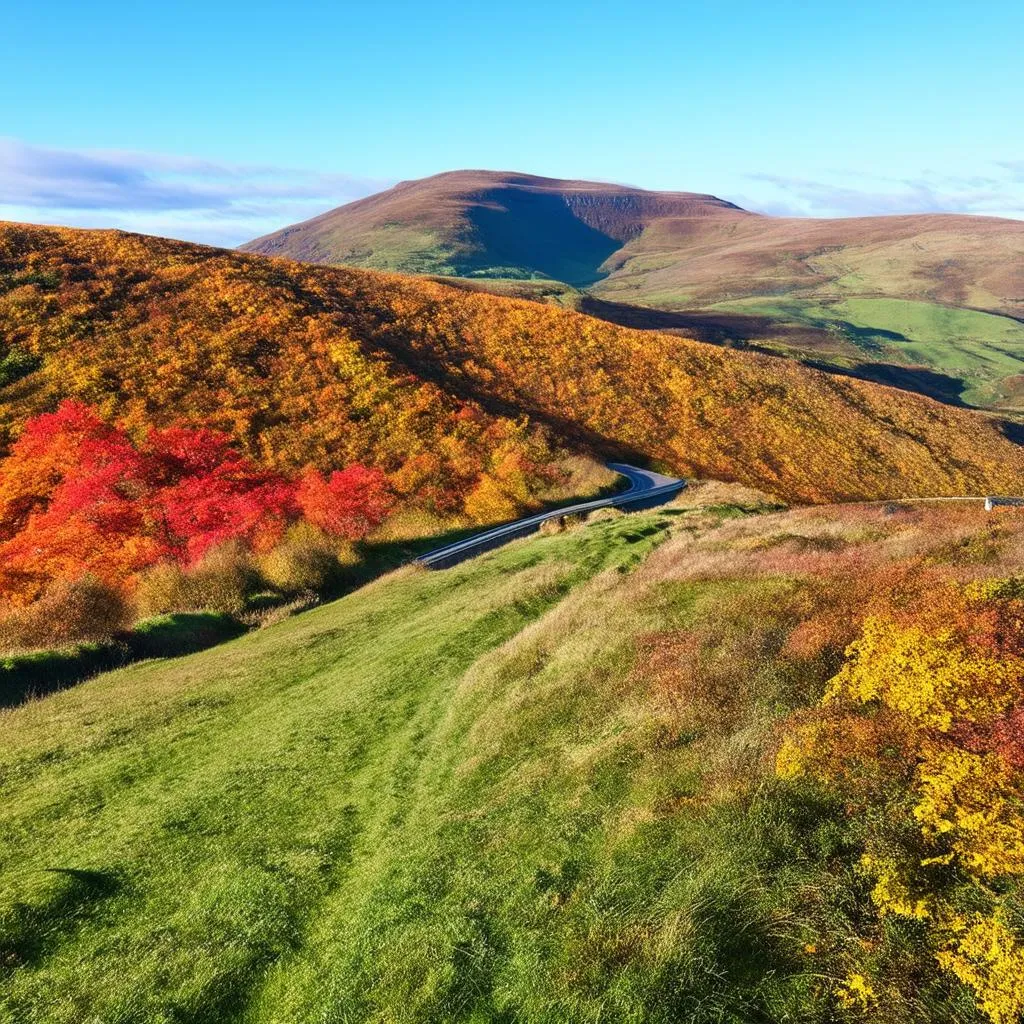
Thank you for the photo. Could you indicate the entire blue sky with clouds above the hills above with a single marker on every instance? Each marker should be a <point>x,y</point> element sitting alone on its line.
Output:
<point>220,121</point>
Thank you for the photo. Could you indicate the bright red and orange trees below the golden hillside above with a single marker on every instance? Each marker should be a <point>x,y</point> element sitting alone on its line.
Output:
<point>78,496</point>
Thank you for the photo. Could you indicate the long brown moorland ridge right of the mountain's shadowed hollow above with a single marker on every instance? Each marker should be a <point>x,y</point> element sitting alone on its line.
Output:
<point>958,261</point>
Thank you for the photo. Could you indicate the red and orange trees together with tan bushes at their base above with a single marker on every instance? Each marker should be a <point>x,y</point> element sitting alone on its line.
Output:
<point>179,522</point>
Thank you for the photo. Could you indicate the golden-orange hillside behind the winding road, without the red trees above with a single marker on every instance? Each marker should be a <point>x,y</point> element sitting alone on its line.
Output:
<point>327,366</point>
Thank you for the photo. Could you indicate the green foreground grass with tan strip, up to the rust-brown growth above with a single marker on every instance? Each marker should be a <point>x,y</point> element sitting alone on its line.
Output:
<point>429,801</point>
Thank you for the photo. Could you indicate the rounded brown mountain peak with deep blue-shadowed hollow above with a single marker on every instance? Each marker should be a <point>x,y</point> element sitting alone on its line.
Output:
<point>485,225</point>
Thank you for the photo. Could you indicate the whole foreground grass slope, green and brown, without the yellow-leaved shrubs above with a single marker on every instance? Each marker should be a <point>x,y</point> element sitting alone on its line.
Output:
<point>484,795</point>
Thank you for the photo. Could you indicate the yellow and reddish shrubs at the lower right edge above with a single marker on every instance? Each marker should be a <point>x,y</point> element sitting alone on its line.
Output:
<point>921,732</point>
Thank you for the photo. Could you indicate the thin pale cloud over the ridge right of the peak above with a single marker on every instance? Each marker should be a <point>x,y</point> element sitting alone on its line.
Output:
<point>1000,194</point>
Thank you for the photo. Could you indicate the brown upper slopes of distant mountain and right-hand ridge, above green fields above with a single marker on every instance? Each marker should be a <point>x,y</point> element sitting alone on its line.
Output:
<point>664,249</point>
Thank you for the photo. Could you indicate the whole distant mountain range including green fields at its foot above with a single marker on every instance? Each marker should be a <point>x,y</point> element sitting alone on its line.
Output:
<point>932,303</point>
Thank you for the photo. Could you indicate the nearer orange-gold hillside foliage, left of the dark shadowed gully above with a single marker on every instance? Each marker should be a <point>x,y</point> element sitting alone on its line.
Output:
<point>297,370</point>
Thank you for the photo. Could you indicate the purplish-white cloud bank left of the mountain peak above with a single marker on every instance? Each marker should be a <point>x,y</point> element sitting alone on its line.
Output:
<point>162,194</point>
